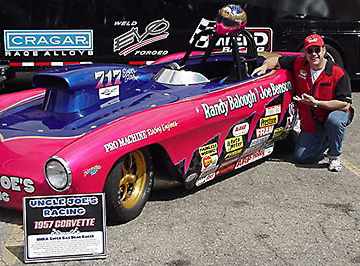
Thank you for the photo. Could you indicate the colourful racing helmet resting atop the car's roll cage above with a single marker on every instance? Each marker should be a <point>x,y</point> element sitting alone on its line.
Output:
<point>231,19</point>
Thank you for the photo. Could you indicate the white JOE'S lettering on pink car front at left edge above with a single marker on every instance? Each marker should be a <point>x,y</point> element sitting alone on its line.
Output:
<point>17,184</point>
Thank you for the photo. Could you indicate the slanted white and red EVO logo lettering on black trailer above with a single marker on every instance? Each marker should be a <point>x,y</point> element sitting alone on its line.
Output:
<point>132,40</point>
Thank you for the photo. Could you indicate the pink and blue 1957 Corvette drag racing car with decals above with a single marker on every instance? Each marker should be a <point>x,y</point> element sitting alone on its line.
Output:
<point>186,119</point>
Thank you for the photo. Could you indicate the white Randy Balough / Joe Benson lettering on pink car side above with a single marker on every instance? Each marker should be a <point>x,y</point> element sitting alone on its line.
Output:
<point>223,107</point>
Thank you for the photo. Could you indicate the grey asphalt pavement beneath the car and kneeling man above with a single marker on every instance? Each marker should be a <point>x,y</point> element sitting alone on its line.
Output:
<point>272,213</point>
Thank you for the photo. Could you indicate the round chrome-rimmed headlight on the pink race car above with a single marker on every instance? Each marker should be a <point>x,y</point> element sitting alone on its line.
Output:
<point>58,173</point>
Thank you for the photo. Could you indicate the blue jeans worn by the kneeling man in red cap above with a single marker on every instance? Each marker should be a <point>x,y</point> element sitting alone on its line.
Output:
<point>310,146</point>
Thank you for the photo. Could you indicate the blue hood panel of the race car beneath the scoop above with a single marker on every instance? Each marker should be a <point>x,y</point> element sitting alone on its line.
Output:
<point>32,121</point>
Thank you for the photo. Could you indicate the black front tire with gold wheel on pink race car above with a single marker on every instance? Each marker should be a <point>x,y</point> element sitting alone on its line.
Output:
<point>128,186</point>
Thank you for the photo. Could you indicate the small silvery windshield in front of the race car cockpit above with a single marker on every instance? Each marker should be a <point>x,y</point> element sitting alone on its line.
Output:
<point>179,77</point>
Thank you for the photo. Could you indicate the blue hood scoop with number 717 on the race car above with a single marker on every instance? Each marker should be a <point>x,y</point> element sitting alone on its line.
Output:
<point>77,87</point>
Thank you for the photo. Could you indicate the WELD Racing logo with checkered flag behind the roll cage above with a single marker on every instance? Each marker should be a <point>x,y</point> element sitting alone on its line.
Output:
<point>263,37</point>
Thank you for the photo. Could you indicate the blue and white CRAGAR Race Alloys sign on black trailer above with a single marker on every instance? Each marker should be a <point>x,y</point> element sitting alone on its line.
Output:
<point>48,42</point>
